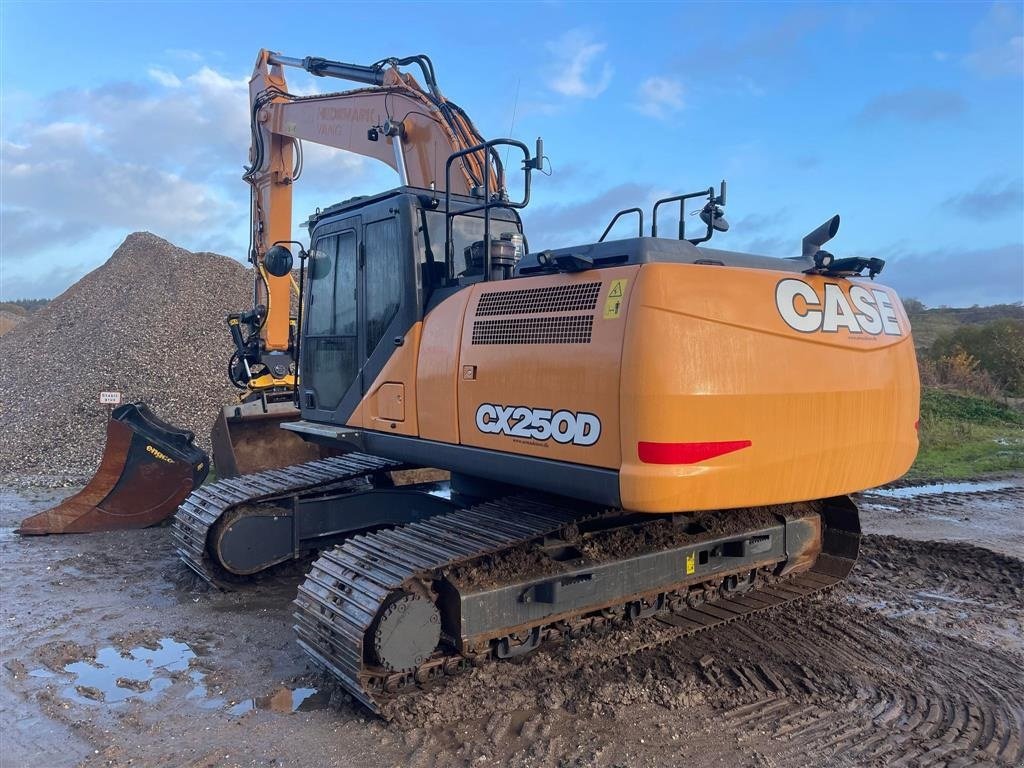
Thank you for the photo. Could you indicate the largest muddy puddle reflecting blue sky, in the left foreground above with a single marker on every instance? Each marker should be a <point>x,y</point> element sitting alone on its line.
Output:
<point>116,676</point>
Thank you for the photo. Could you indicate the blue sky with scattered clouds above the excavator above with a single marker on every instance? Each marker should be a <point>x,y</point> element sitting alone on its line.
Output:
<point>907,119</point>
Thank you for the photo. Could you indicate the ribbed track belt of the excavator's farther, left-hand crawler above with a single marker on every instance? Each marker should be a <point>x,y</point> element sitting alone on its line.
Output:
<point>201,510</point>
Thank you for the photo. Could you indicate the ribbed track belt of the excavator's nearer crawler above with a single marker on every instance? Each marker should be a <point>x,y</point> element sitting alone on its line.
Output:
<point>349,585</point>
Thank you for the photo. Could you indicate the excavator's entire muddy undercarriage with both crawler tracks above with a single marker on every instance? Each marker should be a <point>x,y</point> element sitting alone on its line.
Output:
<point>414,583</point>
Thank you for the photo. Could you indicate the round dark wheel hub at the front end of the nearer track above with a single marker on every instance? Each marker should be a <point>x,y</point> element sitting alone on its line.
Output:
<point>407,633</point>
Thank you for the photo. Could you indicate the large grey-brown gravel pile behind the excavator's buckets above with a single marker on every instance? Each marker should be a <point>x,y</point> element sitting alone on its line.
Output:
<point>149,324</point>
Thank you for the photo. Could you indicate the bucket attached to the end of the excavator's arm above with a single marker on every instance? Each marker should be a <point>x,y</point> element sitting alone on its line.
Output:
<point>248,439</point>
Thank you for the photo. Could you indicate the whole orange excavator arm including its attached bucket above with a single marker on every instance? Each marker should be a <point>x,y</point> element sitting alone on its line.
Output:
<point>411,127</point>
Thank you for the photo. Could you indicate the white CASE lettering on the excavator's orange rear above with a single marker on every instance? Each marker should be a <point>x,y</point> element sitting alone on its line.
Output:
<point>866,312</point>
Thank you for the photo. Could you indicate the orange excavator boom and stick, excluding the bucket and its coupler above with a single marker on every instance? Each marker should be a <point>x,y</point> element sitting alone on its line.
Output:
<point>397,121</point>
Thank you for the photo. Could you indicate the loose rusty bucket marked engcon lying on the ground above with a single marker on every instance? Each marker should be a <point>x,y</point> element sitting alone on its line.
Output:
<point>148,470</point>
